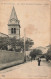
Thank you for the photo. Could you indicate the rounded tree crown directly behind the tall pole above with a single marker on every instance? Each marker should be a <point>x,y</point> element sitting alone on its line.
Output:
<point>28,43</point>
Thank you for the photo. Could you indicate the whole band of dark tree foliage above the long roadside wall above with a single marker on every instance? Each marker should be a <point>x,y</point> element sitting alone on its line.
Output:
<point>19,43</point>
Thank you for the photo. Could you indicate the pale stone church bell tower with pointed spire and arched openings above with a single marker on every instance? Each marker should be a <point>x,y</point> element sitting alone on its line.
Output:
<point>14,25</point>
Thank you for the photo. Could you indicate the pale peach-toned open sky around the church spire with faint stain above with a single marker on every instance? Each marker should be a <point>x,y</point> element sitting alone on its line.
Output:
<point>34,17</point>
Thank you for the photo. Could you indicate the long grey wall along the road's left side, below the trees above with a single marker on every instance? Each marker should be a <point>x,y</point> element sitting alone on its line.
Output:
<point>10,56</point>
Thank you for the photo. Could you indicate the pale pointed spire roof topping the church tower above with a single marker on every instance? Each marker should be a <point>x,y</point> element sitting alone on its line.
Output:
<point>13,18</point>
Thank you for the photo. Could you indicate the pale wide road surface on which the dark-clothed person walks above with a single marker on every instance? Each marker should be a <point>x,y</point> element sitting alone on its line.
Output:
<point>28,70</point>
